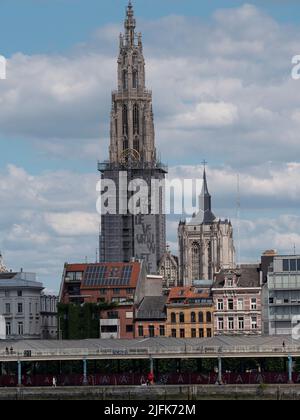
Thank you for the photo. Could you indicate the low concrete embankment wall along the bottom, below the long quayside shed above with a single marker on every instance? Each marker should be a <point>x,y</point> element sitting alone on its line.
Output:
<point>161,393</point>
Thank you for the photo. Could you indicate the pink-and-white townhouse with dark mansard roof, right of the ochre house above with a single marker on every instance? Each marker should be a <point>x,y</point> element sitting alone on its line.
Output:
<point>237,298</point>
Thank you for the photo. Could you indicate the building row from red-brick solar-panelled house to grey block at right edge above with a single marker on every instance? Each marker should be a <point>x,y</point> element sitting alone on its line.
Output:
<point>250,300</point>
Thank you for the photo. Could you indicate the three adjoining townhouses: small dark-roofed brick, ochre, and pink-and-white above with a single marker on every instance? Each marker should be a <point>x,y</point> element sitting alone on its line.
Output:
<point>229,305</point>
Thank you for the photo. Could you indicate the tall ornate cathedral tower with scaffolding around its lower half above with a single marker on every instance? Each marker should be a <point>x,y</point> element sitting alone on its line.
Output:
<point>133,155</point>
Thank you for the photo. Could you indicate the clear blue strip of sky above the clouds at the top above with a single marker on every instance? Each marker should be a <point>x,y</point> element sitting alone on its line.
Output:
<point>39,26</point>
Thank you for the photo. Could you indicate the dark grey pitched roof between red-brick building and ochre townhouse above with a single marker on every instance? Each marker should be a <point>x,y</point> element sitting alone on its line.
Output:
<point>152,308</point>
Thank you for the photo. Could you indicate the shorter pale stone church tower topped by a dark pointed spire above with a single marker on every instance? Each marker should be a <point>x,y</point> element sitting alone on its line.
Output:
<point>205,243</point>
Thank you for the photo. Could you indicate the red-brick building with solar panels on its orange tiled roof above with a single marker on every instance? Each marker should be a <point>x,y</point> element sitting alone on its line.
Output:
<point>112,283</point>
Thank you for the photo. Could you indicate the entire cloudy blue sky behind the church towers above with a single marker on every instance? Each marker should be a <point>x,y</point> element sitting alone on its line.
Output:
<point>220,72</point>
